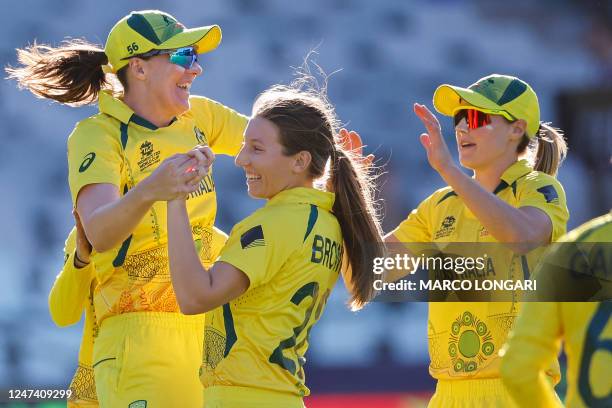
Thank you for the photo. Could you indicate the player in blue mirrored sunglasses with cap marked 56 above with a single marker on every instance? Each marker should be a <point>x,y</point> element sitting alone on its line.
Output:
<point>146,352</point>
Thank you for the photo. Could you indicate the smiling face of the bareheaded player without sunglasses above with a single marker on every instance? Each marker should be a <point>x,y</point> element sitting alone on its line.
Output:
<point>268,170</point>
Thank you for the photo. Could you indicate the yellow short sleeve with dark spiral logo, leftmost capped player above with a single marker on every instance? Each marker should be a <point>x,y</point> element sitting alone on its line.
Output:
<point>94,156</point>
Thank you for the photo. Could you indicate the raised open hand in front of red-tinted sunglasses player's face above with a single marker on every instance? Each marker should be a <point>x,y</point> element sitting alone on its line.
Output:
<point>438,155</point>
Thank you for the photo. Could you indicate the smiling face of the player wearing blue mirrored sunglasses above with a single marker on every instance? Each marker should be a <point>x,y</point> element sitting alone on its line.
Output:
<point>169,84</point>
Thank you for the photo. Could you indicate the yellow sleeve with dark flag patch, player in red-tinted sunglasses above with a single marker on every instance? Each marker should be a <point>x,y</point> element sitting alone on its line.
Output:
<point>545,193</point>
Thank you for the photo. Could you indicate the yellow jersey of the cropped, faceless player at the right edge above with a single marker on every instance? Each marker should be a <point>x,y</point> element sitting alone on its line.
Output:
<point>584,327</point>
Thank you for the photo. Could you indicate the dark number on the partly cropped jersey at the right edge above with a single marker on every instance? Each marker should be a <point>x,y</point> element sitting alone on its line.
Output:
<point>592,344</point>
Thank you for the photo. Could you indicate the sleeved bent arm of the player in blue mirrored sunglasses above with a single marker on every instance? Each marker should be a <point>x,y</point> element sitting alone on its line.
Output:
<point>94,169</point>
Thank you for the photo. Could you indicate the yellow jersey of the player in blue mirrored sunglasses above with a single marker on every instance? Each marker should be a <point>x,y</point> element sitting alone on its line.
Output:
<point>117,146</point>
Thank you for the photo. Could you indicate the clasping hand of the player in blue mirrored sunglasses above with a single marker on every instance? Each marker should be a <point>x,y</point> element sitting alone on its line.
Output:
<point>175,178</point>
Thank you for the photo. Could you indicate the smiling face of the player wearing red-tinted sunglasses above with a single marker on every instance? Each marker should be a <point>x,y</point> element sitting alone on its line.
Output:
<point>485,146</point>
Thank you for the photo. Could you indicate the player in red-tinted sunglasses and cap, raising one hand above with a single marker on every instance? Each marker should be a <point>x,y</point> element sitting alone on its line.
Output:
<point>508,200</point>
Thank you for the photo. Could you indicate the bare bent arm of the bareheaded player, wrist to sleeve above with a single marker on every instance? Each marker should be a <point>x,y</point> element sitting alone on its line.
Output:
<point>198,289</point>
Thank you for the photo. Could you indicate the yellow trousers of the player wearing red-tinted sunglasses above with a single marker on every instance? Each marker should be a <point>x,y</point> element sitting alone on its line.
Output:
<point>487,392</point>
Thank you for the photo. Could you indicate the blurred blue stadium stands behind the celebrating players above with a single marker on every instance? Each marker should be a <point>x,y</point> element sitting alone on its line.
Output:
<point>391,54</point>
